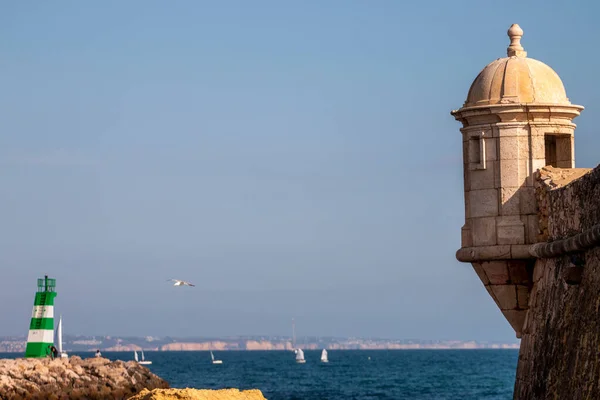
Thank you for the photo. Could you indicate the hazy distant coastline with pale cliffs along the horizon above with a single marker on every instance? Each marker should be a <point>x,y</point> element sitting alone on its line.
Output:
<point>249,343</point>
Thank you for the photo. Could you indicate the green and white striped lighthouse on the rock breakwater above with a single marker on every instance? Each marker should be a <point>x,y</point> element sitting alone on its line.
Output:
<point>41,328</point>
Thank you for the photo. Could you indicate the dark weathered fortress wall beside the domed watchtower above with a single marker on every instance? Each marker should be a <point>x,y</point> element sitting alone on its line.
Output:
<point>560,347</point>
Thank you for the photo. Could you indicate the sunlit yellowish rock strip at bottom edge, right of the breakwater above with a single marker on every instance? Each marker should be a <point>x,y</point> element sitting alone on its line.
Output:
<point>197,394</point>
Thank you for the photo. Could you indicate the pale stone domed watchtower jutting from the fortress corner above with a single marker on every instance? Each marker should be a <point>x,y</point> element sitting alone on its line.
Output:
<point>516,119</point>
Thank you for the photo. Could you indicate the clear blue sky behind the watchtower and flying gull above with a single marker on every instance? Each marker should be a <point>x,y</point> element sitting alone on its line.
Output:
<point>293,159</point>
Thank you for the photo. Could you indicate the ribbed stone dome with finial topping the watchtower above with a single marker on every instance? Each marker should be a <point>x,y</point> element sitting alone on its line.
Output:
<point>516,79</point>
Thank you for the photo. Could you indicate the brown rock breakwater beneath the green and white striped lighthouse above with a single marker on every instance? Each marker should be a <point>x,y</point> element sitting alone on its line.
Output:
<point>74,378</point>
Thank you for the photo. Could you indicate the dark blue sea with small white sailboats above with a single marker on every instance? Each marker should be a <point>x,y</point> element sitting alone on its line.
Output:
<point>350,374</point>
